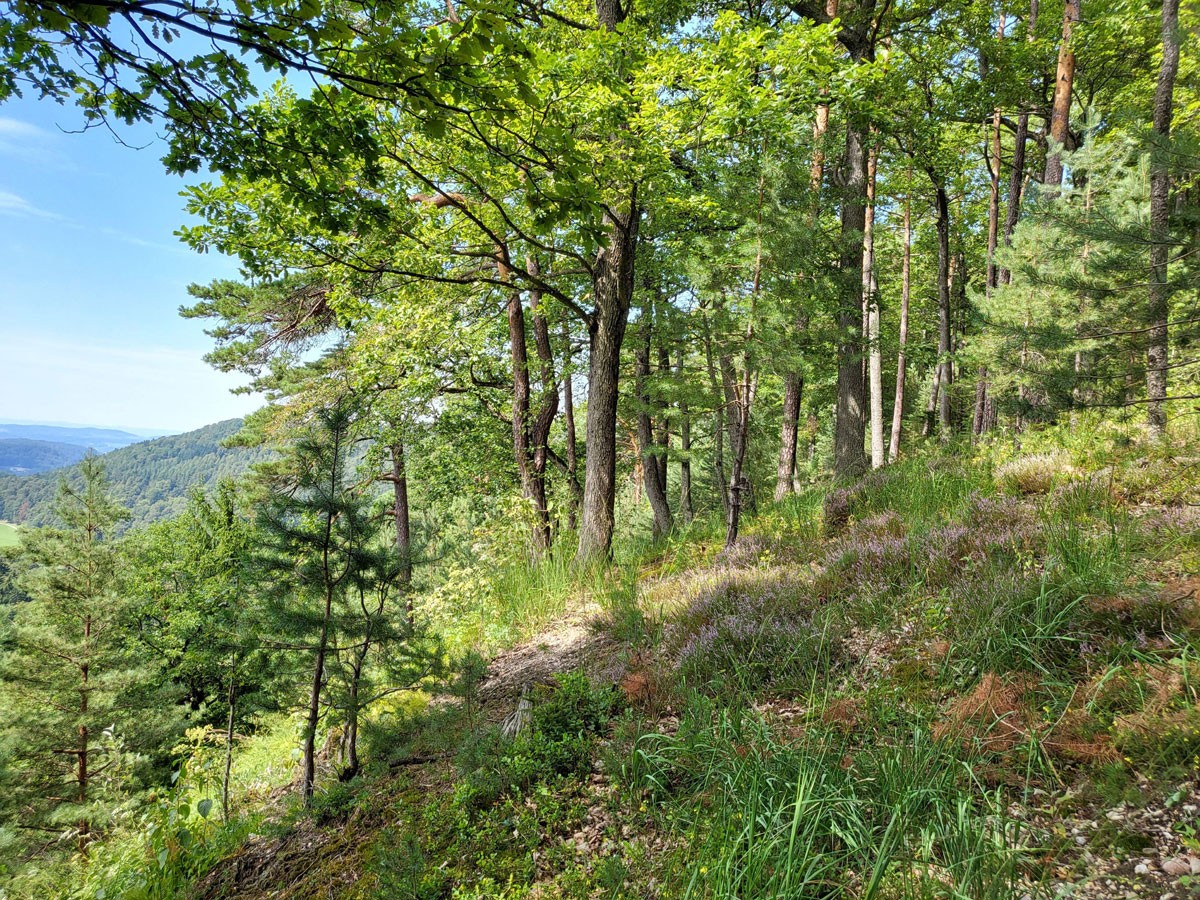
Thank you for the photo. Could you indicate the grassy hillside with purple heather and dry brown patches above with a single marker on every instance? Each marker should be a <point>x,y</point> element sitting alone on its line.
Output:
<point>947,681</point>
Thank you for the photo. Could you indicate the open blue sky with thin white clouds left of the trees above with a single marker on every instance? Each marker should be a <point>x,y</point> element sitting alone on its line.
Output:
<point>92,279</point>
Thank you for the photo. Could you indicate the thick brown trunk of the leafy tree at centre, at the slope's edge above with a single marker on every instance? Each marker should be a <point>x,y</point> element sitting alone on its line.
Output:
<point>613,285</point>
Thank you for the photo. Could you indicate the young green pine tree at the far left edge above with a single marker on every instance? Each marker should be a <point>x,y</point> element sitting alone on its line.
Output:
<point>83,713</point>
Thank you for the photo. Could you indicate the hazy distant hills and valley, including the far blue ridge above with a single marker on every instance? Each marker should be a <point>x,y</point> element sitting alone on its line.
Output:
<point>151,477</point>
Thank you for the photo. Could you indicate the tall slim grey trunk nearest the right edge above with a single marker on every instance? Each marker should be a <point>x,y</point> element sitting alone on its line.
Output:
<point>1159,309</point>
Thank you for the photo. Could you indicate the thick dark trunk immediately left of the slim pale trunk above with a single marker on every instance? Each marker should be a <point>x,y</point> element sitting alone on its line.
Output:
<point>850,423</point>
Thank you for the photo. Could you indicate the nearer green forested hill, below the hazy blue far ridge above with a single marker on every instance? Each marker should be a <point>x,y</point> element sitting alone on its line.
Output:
<point>151,478</point>
